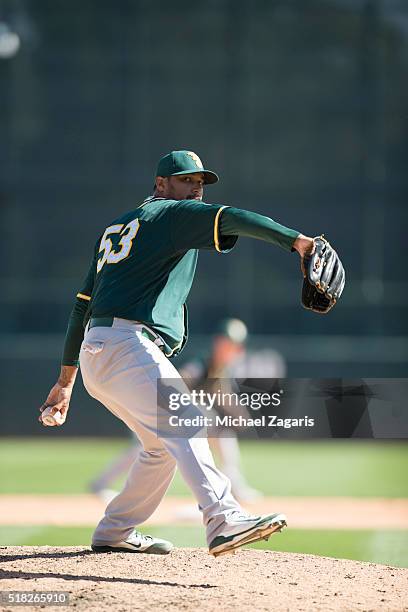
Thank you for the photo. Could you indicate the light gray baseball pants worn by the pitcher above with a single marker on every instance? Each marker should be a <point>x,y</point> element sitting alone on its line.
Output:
<point>123,376</point>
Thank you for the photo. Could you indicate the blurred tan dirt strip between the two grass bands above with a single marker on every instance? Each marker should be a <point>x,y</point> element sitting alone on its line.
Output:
<point>302,513</point>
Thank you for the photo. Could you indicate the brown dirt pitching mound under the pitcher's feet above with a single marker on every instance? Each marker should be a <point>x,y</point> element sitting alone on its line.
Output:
<point>190,579</point>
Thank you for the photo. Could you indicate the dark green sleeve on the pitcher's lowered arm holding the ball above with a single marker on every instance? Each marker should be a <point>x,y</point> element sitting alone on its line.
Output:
<point>75,329</point>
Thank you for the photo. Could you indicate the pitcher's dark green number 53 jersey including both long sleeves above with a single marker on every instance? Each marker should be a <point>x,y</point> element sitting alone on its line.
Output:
<point>144,264</point>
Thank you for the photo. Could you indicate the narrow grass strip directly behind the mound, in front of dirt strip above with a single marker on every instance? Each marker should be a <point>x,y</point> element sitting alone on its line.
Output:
<point>387,547</point>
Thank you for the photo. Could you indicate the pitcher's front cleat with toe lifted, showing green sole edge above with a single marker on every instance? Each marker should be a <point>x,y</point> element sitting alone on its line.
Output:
<point>245,529</point>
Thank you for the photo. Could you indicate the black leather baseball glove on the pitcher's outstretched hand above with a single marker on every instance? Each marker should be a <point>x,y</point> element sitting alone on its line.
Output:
<point>324,277</point>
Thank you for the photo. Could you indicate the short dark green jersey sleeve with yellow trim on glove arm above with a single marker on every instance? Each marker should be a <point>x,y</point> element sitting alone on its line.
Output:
<point>196,225</point>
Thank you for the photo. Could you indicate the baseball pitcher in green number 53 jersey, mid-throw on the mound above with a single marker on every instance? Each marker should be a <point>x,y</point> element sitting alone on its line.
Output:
<point>130,318</point>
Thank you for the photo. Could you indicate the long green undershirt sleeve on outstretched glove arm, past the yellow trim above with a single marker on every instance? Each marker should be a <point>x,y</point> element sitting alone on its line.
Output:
<point>238,222</point>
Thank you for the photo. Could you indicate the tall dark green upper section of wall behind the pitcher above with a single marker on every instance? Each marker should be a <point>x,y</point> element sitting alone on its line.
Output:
<point>300,106</point>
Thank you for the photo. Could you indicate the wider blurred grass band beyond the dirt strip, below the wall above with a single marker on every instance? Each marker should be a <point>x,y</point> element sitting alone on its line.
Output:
<point>302,468</point>
